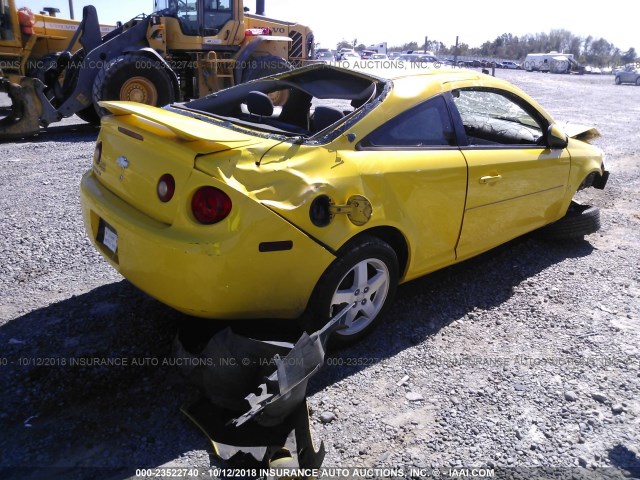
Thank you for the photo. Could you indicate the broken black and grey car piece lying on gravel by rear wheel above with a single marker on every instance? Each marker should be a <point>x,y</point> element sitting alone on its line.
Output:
<point>272,378</point>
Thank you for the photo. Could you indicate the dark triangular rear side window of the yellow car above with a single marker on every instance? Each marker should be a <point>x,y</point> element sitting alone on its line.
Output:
<point>427,125</point>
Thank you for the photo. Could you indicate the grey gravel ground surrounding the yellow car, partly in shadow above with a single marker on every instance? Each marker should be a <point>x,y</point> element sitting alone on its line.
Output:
<point>524,360</point>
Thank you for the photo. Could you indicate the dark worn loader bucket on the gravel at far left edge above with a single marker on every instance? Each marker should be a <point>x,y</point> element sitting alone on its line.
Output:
<point>22,117</point>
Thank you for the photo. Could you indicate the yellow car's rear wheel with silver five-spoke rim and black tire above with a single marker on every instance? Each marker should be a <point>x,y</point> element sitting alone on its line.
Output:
<point>365,275</point>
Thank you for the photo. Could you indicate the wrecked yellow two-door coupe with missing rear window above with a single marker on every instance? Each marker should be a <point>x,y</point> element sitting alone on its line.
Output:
<point>230,207</point>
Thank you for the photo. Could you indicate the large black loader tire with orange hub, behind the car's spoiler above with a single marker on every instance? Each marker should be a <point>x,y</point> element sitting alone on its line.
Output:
<point>133,77</point>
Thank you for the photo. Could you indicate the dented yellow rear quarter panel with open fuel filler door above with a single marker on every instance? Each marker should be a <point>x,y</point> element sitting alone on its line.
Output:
<point>407,193</point>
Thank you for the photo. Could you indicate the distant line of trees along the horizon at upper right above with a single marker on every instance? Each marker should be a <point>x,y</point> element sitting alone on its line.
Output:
<point>587,50</point>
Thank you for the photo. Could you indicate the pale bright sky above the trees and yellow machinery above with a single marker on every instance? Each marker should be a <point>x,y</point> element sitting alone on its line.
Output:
<point>404,21</point>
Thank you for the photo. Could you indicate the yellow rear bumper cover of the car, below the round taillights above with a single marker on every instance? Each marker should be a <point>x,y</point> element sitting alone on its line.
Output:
<point>218,271</point>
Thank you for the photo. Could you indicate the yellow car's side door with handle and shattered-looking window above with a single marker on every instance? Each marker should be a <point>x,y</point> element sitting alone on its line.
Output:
<point>516,183</point>
